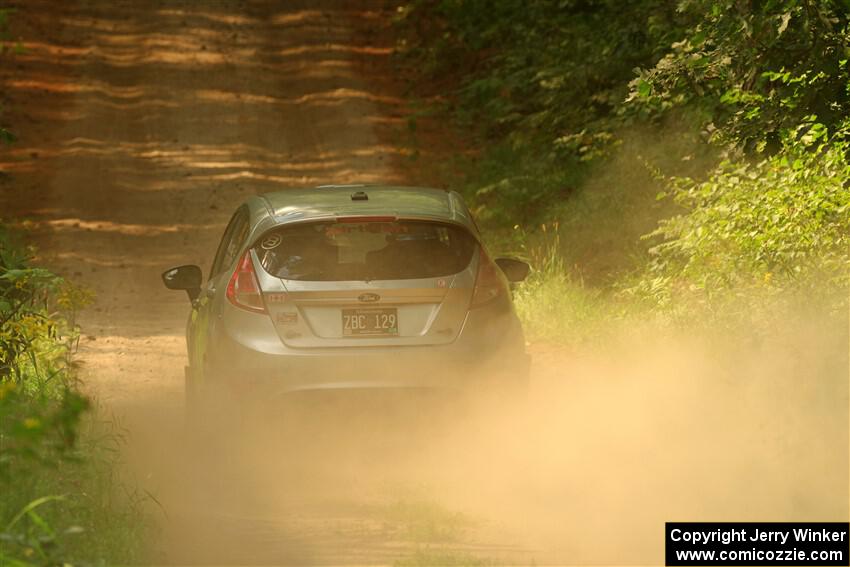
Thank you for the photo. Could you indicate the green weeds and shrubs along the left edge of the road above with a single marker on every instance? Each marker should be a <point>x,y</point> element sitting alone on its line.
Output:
<point>59,497</point>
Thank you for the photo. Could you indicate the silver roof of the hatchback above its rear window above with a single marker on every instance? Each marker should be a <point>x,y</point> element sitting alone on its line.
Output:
<point>342,200</point>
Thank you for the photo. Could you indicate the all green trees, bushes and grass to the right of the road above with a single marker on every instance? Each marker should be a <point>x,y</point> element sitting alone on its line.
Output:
<point>555,88</point>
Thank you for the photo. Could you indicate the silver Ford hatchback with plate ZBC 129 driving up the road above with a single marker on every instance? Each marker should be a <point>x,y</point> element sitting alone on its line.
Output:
<point>352,287</point>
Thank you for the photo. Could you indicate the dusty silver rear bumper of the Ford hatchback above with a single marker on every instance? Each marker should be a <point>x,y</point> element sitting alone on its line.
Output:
<point>278,370</point>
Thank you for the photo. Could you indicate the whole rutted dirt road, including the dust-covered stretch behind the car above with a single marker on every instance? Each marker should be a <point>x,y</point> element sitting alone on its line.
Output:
<point>143,124</point>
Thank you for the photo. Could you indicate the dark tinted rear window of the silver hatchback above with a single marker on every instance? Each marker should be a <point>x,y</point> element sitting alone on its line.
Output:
<point>385,250</point>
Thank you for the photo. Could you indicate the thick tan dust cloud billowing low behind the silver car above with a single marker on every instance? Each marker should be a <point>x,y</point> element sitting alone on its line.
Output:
<point>610,443</point>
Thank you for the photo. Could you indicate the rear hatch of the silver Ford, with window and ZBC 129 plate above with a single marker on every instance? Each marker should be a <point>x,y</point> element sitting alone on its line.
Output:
<point>367,281</point>
